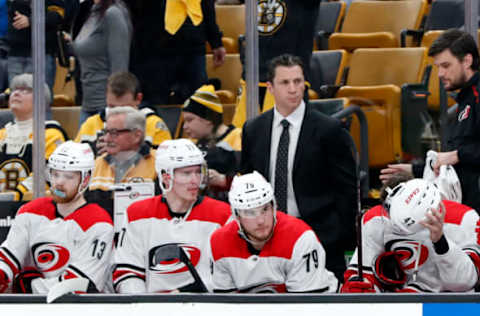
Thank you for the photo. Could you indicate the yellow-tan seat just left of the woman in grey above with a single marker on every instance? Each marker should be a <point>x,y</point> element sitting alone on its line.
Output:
<point>63,91</point>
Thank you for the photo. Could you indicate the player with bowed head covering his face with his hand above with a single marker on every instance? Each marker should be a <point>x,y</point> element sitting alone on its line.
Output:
<point>417,242</point>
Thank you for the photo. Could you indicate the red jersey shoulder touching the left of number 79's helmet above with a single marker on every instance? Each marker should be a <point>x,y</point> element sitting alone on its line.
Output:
<point>211,210</point>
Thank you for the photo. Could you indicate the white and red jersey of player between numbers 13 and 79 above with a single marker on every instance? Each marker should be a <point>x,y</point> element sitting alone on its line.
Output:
<point>150,230</point>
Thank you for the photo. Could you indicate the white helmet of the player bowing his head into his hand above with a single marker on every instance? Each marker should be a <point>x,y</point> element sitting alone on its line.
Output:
<point>408,203</point>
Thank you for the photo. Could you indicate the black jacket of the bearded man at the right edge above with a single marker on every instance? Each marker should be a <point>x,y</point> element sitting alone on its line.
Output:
<point>464,136</point>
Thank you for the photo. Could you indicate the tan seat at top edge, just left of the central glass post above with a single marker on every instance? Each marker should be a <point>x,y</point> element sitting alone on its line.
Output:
<point>231,21</point>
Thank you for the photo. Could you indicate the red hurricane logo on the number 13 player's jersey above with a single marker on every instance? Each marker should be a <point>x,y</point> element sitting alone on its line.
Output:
<point>50,256</point>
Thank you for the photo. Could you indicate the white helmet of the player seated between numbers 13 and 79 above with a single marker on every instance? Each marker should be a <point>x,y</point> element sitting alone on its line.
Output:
<point>177,153</point>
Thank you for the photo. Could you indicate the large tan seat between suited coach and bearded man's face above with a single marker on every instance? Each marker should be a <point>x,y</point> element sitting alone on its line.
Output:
<point>375,82</point>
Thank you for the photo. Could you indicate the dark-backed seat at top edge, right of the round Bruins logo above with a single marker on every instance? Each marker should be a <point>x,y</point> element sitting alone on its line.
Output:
<point>329,19</point>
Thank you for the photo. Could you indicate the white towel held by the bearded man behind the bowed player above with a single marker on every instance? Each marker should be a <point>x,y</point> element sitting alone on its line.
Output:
<point>447,179</point>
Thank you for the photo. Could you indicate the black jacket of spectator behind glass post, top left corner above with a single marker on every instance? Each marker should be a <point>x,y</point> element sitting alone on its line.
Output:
<point>20,40</point>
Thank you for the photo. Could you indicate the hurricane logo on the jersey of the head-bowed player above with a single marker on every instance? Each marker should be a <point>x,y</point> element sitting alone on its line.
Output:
<point>408,252</point>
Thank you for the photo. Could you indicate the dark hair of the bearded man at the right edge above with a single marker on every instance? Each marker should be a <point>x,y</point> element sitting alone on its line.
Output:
<point>459,43</point>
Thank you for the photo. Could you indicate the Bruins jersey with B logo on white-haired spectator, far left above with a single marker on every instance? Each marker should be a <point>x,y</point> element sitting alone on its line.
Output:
<point>16,155</point>
